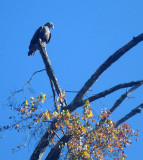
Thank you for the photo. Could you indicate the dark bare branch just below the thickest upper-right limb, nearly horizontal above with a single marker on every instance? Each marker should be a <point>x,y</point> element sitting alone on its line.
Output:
<point>72,106</point>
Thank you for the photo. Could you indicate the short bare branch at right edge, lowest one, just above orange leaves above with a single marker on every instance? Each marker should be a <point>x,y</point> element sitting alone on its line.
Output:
<point>129,115</point>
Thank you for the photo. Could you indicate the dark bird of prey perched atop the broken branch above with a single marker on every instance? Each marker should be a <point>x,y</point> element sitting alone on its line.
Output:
<point>42,34</point>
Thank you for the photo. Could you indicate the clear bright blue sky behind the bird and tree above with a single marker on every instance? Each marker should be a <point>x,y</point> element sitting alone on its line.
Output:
<point>86,33</point>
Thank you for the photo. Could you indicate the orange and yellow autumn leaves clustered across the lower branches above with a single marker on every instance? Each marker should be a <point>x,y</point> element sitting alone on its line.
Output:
<point>90,137</point>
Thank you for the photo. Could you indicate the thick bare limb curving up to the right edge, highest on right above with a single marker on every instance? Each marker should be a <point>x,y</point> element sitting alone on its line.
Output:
<point>113,58</point>
